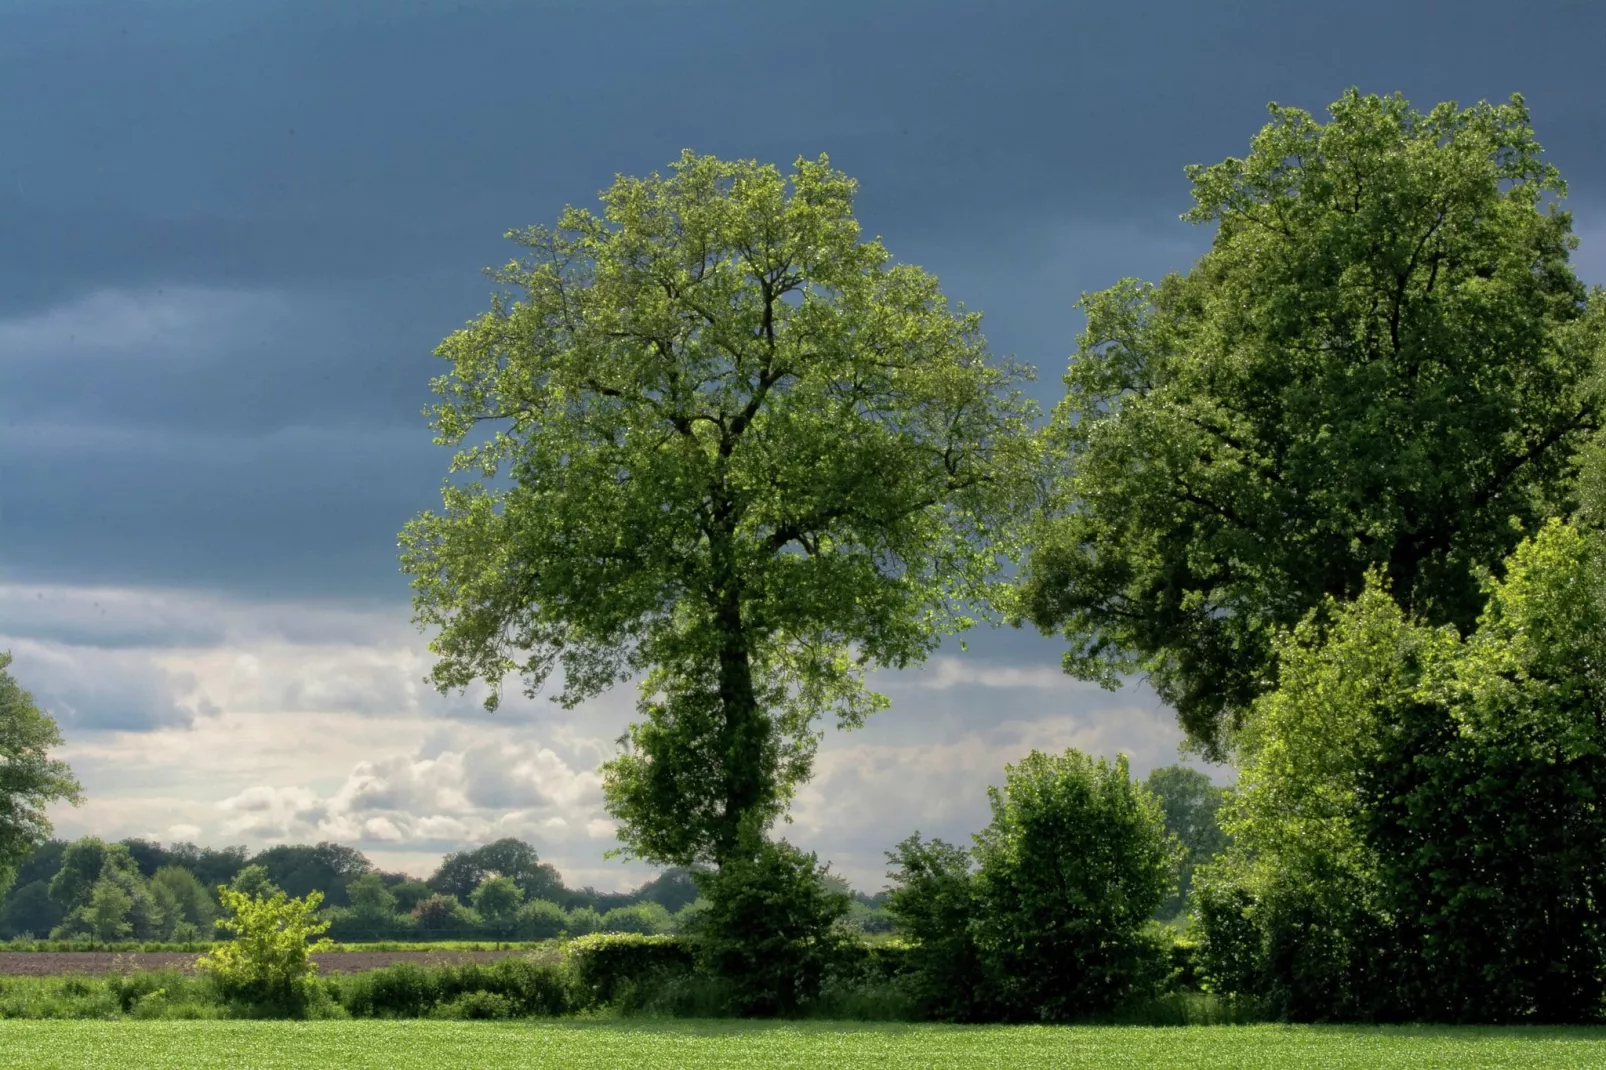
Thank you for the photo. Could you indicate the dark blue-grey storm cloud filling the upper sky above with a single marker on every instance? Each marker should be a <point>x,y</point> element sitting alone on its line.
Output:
<point>341,173</point>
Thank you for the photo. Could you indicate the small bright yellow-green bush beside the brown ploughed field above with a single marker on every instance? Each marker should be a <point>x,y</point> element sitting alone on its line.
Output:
<point>269,962</point>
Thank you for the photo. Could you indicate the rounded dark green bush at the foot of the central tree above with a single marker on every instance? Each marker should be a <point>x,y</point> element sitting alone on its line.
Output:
<point>772,928</point>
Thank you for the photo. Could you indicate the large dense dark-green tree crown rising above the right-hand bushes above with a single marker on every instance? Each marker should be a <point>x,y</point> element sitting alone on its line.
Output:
<point>1384,361</point>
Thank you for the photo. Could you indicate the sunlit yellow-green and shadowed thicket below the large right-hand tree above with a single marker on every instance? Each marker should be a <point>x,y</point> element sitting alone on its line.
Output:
<point>1417,820</point>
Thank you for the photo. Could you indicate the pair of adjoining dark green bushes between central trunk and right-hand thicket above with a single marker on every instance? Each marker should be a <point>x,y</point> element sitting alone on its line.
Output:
<point>1048,918</point>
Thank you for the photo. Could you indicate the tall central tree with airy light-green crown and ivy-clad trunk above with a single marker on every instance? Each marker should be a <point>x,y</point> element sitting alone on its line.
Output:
<point>735,449</point>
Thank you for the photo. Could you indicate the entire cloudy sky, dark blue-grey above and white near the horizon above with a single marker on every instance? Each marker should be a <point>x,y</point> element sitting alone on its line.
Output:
<point>232,237</point>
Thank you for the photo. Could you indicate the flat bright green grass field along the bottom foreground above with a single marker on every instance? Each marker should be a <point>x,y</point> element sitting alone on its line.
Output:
<point>760,1047</point>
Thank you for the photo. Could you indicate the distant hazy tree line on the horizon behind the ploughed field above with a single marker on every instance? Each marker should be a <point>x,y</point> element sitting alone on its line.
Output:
<point>142,891</point>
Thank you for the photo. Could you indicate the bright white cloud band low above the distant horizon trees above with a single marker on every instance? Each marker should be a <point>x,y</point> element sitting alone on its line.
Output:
<point>304,722</point>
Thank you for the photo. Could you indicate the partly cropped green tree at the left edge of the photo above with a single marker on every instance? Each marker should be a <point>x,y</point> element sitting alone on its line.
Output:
<point>30,778</point>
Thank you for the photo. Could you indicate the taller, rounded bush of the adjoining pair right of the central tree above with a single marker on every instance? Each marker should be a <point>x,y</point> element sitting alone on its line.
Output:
<point>1069,876</point>
